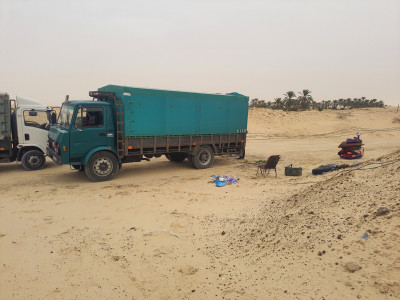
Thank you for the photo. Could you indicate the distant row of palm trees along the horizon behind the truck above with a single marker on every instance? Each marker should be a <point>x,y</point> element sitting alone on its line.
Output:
<point>305,101</point>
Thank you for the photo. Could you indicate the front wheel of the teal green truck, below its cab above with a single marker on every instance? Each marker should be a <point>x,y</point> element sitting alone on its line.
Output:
<point>102,166</point>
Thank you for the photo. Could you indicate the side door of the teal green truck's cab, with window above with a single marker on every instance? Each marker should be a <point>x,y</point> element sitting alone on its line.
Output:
<point>89,131</point>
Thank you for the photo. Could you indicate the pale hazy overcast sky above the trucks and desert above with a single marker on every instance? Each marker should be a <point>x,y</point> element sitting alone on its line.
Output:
<point>262,49</point>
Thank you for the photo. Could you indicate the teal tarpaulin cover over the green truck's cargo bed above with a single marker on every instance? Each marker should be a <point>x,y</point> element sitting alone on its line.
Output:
<point>160,113</point>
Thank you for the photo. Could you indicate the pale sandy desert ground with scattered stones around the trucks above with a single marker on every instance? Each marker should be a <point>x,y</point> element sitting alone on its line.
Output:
<point>160,230</point>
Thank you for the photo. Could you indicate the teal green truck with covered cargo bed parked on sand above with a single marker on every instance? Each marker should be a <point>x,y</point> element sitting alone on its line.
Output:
<point>125,124</point>
